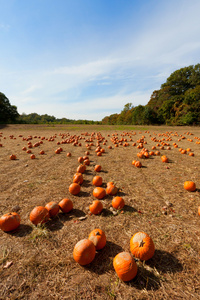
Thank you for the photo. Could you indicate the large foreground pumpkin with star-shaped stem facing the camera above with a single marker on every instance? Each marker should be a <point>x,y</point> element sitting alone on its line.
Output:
<point>142,246</point>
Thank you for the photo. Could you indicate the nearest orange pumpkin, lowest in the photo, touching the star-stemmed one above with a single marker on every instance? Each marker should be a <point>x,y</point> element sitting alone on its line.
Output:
<point>125,266</point>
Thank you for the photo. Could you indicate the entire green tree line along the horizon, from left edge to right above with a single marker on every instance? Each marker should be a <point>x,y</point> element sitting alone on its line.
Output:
<point>177,102</point>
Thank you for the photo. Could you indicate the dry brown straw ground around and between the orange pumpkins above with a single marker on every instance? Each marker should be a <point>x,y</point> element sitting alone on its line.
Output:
<point>37,262</point>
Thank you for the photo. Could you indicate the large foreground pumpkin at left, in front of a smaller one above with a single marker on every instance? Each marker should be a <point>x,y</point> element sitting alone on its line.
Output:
<point>84,252</point>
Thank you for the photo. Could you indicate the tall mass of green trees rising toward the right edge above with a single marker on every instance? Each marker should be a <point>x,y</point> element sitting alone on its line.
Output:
<point>176,103</point>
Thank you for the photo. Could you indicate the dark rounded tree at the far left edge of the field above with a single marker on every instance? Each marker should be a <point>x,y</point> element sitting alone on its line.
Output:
<point>8,112</point>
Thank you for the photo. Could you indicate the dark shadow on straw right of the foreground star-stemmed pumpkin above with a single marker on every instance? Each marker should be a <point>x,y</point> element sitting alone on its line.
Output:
<point>165,262</point>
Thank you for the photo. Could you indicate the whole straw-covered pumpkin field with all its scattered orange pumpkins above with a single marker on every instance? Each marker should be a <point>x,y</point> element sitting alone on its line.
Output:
<point>64,194</point>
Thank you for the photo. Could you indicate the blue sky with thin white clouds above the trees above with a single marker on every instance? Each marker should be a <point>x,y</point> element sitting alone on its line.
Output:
<point>85,59</point>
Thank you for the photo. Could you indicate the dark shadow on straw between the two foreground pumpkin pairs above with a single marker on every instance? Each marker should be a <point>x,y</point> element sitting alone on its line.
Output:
<point>106,256</point>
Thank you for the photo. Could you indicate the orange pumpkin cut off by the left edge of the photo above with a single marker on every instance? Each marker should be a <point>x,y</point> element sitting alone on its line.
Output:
<point>10,221</point>
